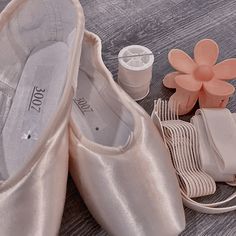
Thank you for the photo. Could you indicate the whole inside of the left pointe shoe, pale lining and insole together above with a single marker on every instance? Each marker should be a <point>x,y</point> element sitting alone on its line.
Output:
<point>34,54</point>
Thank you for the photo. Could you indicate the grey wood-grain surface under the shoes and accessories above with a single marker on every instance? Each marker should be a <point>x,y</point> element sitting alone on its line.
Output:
<point>160,25</point>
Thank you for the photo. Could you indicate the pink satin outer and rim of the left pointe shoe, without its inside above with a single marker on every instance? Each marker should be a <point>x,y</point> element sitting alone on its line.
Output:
<point>31,202</point>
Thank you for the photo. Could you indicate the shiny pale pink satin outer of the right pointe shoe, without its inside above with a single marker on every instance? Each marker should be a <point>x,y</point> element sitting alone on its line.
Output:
<point>131,190</point>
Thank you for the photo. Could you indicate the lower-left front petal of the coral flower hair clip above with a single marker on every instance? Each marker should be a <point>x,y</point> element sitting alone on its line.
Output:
<point>188,83</point>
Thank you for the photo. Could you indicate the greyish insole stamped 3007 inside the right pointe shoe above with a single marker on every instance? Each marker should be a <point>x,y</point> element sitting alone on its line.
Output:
<point>99,119</point>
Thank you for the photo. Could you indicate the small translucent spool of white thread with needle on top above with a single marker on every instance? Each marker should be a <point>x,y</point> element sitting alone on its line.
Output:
<point>135,70</point>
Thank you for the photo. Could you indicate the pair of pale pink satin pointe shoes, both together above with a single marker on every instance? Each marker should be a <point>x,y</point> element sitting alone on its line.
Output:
<point>57,97</point>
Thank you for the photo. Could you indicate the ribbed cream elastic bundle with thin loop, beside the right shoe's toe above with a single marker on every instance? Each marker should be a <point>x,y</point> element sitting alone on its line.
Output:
<point>182,140</point>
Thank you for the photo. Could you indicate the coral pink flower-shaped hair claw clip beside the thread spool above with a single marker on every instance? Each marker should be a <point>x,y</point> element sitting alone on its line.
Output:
<point>200,79</point>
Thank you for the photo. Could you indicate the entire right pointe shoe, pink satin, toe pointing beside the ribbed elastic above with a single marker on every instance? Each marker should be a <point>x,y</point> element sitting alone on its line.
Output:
<point>117,158</point>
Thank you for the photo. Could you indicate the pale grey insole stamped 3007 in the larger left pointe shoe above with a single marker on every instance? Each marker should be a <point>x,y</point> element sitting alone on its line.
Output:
<point>37,95</point>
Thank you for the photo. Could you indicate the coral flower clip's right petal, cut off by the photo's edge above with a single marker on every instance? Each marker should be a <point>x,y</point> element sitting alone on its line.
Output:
<point>226,69</point>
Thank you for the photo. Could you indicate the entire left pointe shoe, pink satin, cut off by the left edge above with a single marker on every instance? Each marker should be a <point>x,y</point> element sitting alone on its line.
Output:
<point>40,46</point>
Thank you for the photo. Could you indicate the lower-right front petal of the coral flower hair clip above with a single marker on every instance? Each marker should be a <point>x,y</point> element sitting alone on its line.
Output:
<point>218,88</point>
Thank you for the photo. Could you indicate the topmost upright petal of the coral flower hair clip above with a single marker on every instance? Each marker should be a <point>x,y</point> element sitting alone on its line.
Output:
<point>206,52</point>
